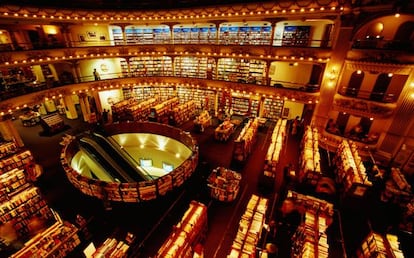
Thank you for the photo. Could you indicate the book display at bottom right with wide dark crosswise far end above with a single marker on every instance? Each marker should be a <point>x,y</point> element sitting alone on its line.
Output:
<point>310,238</point>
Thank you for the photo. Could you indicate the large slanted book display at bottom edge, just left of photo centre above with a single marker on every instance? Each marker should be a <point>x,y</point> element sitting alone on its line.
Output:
<point>187,234</point>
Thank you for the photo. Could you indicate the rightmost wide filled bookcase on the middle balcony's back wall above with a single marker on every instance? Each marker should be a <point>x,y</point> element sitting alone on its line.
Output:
<point>241,70</point>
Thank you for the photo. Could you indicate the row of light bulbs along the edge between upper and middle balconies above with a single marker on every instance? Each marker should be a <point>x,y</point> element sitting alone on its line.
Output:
<point>46,59</point>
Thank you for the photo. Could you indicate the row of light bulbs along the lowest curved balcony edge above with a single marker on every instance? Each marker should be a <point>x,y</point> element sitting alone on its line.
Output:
<point>129,85</point>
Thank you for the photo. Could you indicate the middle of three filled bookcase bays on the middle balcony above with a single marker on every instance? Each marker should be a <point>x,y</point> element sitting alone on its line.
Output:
<point>195,67</point>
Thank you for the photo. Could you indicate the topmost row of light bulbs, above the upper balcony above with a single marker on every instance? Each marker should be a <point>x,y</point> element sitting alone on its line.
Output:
<point>172,17</point>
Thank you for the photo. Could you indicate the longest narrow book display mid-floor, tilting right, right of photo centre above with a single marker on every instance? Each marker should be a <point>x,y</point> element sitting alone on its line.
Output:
<point>275,147</point>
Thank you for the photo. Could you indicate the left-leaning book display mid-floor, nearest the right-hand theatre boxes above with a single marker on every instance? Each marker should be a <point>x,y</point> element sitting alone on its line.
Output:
<point>350,170</point>
